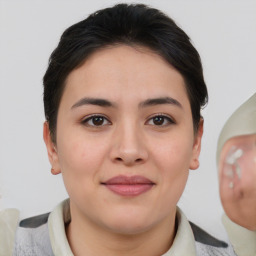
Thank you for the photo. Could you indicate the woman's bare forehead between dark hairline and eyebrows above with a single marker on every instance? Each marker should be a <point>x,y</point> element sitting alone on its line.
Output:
<point>124,71</point>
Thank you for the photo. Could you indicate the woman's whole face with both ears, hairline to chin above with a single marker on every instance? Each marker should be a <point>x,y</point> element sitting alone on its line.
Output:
<point>125,139</point>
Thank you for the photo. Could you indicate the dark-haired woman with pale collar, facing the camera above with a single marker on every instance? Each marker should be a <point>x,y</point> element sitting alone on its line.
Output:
<point>122,96</point>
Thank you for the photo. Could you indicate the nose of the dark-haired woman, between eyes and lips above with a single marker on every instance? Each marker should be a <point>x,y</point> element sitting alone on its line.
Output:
<point>128,146</point>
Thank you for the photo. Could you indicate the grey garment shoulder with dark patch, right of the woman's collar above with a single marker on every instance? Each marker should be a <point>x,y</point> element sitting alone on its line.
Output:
<point>207,245</point>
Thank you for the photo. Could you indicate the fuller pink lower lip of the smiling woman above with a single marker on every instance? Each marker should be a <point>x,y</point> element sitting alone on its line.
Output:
<point>128,189</point>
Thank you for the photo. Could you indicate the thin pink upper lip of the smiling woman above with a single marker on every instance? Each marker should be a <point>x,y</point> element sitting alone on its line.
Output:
<point>128,180</point>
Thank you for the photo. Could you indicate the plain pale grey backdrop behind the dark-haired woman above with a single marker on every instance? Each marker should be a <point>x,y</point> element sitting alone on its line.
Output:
<point>224,33</point>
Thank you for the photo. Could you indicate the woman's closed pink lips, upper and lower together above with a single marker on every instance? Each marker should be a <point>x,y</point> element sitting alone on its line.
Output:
<point>129,186</point>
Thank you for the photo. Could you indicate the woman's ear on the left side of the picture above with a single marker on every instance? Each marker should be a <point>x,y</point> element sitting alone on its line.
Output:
<point>52,150</point>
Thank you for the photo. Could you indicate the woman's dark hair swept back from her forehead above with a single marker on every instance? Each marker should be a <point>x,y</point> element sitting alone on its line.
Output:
<point>130,25</point>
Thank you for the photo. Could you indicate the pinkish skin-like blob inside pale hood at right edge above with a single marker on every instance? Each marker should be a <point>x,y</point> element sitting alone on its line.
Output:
<point>239,201</point>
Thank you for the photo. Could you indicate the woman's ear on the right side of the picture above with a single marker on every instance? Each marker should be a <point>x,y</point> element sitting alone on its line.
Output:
<point>194,163</point>
